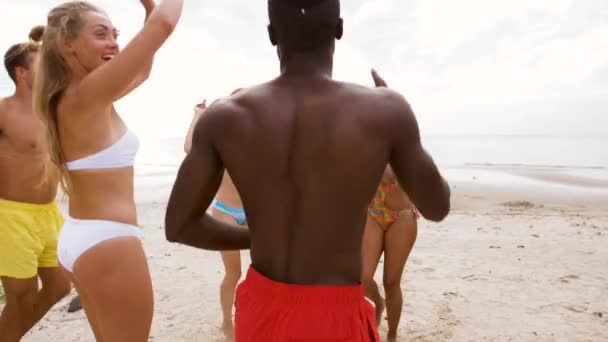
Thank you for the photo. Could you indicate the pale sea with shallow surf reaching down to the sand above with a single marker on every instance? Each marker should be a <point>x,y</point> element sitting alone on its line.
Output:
<point>458,156</point>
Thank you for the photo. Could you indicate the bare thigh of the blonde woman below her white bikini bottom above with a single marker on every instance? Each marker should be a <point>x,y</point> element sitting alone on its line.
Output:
<point>114,283</point>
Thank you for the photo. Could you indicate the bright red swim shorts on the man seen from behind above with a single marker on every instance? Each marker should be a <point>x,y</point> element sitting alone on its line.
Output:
<point>269,311</point>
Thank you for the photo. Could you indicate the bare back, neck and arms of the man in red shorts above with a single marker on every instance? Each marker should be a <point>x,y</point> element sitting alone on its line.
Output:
<point>306,154</point>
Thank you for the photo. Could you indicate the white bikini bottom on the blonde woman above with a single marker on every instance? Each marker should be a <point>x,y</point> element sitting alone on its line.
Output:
<point>78,236</point>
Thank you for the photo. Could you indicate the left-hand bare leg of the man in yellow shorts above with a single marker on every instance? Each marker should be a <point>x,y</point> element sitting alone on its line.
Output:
<point>20,308</point>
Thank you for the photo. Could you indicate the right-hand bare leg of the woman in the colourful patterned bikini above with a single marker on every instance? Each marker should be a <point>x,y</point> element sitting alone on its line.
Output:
<point>399,241</point>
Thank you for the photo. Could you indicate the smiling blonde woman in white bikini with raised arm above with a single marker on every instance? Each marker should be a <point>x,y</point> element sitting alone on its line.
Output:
<point>82,72</point>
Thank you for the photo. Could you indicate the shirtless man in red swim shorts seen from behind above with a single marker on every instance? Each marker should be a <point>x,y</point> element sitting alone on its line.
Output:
<point>306,154</point>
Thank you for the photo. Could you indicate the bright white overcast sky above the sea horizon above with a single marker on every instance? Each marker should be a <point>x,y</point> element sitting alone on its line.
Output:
<point>467,66</point>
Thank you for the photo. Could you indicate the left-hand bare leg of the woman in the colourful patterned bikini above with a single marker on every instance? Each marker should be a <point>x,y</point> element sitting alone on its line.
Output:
<point>373,244</point>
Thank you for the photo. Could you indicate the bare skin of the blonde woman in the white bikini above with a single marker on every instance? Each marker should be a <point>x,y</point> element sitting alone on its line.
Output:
<point>112,277</point>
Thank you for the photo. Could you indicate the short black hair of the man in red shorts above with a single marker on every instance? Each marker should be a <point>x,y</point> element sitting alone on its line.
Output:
<point>302,25</point>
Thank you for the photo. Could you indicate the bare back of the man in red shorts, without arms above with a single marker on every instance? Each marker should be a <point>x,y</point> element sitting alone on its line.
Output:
<point>307,158</point>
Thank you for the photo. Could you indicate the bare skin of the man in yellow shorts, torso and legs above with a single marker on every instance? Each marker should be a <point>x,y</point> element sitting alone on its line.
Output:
<point>26,176</point>
